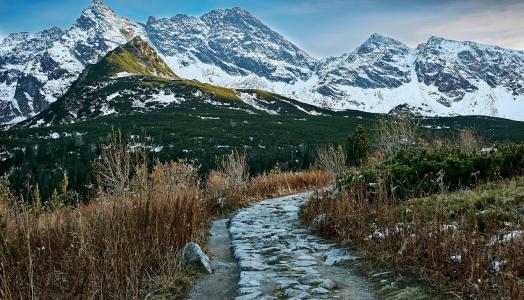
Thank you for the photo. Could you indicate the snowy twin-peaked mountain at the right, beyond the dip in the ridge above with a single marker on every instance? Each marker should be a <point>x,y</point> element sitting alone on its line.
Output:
<point>440,77</point>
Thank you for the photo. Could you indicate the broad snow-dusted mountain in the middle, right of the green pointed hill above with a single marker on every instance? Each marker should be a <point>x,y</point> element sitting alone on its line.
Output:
<point>230,41</point>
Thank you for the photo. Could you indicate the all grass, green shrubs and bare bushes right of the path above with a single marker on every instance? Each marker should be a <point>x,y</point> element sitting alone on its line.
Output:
<point>441,211</point>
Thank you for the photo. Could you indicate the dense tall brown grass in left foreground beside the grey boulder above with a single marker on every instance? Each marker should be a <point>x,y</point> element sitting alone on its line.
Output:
<point>111,248</point>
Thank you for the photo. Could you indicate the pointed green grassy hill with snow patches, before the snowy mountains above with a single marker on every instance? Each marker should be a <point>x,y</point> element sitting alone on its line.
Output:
<point>133,79</point>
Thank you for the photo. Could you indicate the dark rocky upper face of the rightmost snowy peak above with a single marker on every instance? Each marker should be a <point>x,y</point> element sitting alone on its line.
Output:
<point>459,68</point>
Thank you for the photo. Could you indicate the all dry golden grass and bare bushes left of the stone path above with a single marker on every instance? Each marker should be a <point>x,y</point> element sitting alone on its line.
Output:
<point>123,244</point>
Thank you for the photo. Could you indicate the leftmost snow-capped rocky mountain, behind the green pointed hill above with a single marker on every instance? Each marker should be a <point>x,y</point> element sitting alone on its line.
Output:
<point>36,69</point>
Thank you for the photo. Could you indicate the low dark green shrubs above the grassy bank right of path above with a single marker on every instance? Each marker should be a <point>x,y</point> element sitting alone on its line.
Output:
<point>419,172</point>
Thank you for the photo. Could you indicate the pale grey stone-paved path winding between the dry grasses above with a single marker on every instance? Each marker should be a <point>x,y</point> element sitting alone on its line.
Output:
<point>279,259</point>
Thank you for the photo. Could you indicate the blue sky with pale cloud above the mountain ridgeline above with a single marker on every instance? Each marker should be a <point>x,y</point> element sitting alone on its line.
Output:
<point>320,27</point>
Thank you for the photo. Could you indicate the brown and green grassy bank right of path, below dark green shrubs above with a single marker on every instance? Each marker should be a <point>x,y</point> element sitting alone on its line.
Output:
<point>466,244</point>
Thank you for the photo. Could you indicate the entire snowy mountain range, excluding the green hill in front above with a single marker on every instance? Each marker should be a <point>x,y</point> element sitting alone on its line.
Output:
<point>232,48</point>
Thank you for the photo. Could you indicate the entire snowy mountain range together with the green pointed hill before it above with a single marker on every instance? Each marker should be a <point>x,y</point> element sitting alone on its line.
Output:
<point>226,57</point>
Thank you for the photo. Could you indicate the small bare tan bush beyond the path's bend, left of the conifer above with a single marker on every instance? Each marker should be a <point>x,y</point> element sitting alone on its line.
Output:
<point>331,160</point>
